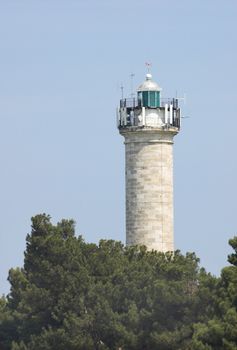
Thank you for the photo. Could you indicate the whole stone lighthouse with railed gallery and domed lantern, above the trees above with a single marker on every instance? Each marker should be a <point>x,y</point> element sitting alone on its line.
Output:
<point>148,124</point>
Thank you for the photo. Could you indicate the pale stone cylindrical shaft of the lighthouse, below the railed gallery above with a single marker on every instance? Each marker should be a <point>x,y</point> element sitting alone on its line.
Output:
<point>149,188</point>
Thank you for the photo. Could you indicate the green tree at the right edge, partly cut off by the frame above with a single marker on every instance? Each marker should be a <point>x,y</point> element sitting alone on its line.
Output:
<point>220,330</point>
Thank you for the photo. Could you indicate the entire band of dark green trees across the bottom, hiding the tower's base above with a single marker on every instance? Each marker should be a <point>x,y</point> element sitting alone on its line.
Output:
<point>75,295</point>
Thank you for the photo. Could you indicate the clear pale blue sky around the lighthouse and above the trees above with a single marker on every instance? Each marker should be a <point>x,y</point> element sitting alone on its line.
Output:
<point>61,65</point>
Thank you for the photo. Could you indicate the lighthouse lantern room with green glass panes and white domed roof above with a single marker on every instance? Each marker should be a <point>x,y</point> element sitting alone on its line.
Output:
<point>149,93</point>
